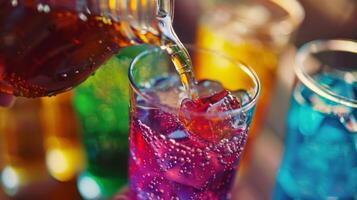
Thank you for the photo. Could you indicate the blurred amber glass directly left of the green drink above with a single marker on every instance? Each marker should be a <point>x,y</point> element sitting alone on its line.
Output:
<point>64,152</point>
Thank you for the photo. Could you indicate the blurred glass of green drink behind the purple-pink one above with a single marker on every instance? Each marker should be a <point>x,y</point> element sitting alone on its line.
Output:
<point>102,105</point>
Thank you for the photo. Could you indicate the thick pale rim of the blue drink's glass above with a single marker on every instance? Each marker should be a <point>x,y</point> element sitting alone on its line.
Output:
<point>341,45</point>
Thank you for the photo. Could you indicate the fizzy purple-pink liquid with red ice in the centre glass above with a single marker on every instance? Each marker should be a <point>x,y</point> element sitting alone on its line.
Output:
<point>184,156</point>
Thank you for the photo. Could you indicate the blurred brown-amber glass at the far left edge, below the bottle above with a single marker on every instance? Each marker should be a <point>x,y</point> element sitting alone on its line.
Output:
<point>21,144</point>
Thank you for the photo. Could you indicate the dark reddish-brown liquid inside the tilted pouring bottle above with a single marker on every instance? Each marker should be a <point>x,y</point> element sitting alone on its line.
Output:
<point>46,50</point>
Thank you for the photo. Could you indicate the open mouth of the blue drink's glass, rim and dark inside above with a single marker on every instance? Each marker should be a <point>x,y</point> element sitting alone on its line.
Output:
<point>338,57</point>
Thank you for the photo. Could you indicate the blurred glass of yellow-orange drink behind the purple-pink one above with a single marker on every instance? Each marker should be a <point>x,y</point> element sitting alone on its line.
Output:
<point>255,32</point>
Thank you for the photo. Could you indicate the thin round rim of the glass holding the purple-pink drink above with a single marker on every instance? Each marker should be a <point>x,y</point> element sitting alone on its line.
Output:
<point>248,70</point>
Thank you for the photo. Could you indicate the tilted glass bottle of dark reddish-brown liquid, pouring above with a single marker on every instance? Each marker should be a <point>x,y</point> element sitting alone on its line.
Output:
<point>50,46</point>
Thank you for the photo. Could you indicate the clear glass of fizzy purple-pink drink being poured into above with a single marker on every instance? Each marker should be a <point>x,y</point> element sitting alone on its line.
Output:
<point>184,148</point>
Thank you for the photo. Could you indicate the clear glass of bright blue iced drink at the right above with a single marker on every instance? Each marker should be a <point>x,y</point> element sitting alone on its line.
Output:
<point>320,158</point>
